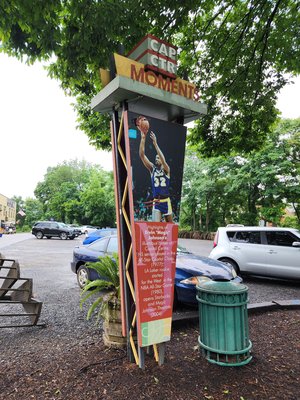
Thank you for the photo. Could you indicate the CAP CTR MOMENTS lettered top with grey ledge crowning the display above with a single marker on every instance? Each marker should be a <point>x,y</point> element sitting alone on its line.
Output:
<point>148,73</point>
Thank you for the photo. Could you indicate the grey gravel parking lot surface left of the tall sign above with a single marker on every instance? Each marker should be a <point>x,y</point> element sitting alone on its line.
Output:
<point>47,262</point>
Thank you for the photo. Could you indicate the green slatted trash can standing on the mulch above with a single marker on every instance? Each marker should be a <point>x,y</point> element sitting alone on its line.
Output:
<point>223,321</point>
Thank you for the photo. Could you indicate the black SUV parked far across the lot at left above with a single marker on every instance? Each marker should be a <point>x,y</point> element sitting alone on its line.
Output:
<point>51,229</point>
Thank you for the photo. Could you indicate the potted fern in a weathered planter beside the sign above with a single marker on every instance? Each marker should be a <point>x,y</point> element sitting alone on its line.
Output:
<point>107,304</point>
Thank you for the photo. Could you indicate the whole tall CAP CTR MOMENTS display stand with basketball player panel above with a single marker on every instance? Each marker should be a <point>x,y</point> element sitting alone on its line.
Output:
<point>149,105</point>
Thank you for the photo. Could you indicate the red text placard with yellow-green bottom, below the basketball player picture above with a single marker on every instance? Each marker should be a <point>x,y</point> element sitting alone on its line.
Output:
<point>154,271</point>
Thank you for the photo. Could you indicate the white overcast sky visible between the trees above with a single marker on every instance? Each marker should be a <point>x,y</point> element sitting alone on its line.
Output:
<point>38,127</point>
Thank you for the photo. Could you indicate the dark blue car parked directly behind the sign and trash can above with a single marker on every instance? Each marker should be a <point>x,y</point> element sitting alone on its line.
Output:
<point>190,268</point>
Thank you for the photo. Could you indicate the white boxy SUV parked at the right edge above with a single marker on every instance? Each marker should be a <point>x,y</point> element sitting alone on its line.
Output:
<point>272,252</point>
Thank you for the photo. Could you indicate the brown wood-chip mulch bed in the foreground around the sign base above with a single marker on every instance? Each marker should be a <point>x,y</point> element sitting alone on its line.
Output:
<point>60,368</point>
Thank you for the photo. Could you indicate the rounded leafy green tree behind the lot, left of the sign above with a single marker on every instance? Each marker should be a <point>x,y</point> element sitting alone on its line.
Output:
<point>77,192</point>
